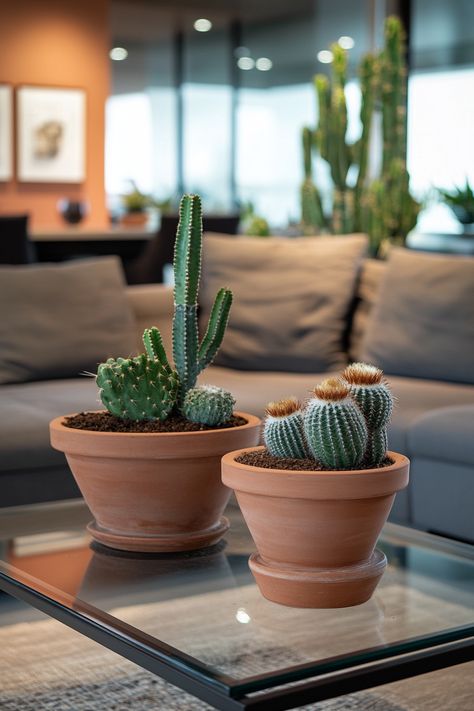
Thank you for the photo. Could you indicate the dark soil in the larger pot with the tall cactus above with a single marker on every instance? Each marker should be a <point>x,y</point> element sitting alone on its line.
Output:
<point>105,422</point>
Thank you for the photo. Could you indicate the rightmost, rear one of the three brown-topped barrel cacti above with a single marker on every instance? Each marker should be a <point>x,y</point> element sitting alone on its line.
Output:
<point>374,398</point>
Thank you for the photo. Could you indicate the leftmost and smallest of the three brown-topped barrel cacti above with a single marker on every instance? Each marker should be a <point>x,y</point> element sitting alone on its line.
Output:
<point>283,429</point>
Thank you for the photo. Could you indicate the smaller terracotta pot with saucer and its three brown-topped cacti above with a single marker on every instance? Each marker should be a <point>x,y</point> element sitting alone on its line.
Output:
<point>316,496</point>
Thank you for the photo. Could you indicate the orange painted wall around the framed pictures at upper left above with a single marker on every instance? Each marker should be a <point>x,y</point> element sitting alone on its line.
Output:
<point>62,43</point>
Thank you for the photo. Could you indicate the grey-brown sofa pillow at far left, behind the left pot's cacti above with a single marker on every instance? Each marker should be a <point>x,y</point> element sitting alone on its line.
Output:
<point>57,320</point>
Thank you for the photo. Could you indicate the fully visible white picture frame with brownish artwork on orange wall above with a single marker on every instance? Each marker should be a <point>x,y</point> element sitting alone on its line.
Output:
<point>51,134</point>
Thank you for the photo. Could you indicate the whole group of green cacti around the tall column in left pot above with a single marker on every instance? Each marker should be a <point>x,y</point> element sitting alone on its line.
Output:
<point>146,387</point>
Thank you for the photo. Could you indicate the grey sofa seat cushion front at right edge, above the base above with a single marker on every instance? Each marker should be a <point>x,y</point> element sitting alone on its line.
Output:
<point>446,435</point>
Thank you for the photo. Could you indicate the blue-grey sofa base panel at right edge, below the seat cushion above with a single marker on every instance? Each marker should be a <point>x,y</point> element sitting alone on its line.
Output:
<point>441,494</point>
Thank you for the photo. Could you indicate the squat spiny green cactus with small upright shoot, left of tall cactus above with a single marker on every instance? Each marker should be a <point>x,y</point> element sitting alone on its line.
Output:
<point>141,388</point>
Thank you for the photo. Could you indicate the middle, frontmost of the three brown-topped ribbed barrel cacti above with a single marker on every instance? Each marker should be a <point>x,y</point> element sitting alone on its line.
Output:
<point>334,426</point>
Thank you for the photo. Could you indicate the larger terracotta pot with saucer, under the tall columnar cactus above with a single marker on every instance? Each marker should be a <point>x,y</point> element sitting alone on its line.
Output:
<point>158,492</point>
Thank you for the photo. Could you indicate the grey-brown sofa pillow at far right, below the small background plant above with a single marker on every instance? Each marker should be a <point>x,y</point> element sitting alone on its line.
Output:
<point>423,324</point>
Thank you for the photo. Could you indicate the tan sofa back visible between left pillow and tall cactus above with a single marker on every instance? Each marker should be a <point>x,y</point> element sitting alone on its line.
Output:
<point>152,305</point>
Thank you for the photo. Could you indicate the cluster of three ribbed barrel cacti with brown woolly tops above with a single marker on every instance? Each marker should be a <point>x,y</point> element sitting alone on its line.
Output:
<point>344,423</point>
